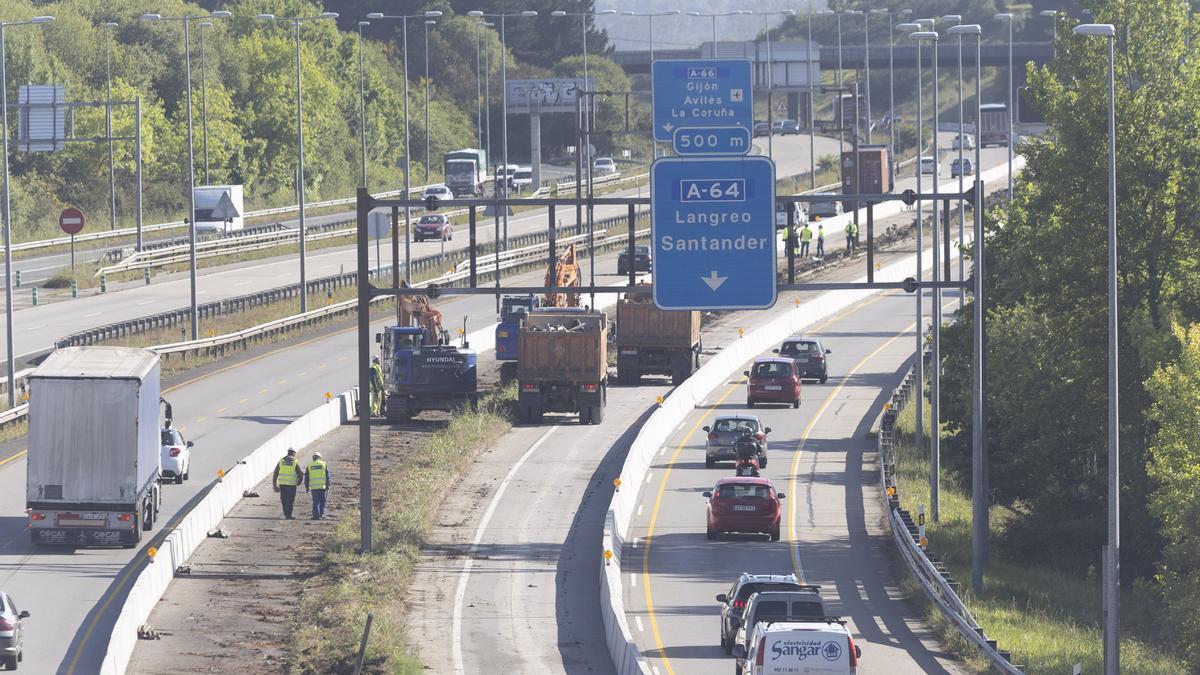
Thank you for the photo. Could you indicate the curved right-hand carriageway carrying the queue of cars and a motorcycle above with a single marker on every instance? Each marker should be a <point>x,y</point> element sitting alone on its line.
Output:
<point>833,533</point>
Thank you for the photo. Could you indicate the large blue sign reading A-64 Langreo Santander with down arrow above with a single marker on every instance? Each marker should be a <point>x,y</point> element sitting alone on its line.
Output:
<point>713,224</point>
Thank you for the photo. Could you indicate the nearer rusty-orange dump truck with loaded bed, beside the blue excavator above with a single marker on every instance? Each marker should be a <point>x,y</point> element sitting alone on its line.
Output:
<point>565,365</point>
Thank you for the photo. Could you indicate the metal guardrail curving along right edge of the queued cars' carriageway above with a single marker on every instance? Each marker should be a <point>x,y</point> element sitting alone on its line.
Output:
<point>940,587</point>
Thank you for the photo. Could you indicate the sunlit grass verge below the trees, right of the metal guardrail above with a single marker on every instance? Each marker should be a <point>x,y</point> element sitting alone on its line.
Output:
<point>1047,618</point>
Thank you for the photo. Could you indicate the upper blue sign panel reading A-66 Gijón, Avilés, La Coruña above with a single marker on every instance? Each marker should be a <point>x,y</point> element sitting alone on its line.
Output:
<point>701,93</point>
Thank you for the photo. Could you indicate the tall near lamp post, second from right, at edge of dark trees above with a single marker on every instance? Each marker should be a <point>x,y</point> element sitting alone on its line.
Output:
<point>979,498</point>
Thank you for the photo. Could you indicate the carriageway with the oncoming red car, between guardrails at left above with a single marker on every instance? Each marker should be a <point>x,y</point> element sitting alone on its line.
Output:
<point>37,328</point>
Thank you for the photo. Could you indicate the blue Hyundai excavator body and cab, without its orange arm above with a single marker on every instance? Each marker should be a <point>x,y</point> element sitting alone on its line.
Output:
<point>421,374</point>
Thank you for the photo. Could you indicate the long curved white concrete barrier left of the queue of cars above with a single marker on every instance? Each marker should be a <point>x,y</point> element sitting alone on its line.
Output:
<point>627,658</point>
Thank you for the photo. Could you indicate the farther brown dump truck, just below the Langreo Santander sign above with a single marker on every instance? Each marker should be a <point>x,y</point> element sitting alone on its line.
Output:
<point>653,342</point>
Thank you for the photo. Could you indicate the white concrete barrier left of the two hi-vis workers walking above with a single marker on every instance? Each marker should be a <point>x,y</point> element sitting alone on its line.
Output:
<point>151,586</point>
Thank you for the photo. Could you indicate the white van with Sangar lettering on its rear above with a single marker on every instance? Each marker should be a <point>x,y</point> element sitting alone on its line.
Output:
<point>814,648</point>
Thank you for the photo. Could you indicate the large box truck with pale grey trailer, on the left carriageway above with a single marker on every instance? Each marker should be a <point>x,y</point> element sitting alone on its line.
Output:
<point>94,447</point>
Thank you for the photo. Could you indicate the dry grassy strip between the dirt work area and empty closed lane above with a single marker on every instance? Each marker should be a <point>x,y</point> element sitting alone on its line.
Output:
<point>335,602</point>
